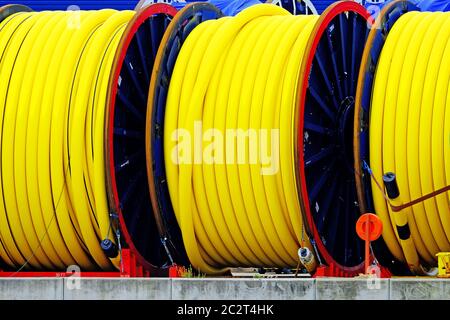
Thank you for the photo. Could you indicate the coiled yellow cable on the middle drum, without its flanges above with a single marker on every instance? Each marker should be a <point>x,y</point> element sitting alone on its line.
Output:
<point>237,73</point>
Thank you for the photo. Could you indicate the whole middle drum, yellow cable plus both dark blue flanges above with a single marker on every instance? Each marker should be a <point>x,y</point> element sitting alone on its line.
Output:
<point>323,106</point>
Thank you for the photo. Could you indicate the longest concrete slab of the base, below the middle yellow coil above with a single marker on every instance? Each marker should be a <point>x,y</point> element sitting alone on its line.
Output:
<point>243,289</point>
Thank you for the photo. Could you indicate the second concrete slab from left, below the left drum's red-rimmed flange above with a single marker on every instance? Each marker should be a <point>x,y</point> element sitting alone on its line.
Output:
<point>117,289</point>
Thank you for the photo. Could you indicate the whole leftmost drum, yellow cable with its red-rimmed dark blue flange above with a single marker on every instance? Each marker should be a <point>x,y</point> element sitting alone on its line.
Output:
<point>58,203</point>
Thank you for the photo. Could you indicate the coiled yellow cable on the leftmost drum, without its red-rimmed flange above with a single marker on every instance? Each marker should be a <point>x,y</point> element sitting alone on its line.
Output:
<point>54,71</point>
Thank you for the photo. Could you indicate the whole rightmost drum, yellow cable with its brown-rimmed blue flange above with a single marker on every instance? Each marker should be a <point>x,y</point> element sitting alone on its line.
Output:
<point>401,131</point>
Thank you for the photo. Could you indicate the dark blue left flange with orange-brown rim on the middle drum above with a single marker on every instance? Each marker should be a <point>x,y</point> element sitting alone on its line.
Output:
<point>184,22</point>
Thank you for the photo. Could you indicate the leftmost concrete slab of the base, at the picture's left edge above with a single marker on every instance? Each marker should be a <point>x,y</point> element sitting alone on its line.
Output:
<point>31,289</point>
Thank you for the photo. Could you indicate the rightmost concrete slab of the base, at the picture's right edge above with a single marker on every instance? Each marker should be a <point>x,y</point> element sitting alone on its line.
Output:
<point>420,289</point>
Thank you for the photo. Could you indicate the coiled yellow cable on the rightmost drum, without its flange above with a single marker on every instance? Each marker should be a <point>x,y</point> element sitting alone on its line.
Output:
<point>410,133</point>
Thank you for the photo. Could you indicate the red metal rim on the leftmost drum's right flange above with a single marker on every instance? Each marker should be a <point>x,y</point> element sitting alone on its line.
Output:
<point>131,30</point>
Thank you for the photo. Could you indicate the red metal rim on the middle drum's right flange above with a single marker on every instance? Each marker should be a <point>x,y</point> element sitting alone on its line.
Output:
<point>316,35</point>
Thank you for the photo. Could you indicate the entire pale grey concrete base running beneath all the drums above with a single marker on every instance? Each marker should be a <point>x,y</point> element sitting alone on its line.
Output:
<point>223,288</point>
